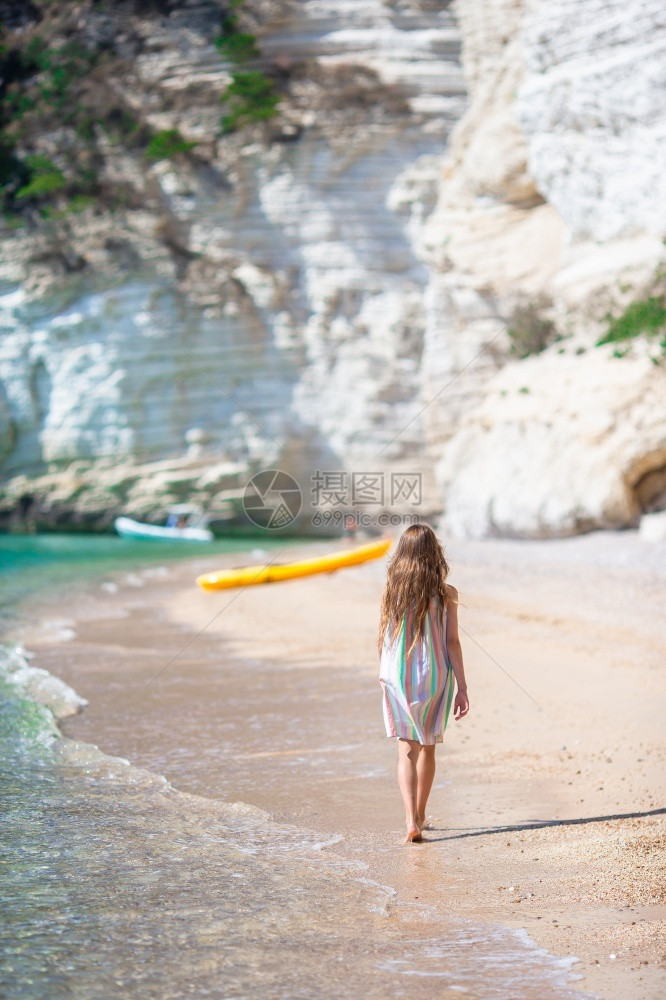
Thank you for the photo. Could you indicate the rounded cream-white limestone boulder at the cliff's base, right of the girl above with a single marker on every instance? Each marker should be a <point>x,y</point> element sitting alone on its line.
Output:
<point>560,444</point>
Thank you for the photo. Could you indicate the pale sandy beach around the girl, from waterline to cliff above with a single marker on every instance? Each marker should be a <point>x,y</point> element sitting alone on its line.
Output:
<point>548,805</point>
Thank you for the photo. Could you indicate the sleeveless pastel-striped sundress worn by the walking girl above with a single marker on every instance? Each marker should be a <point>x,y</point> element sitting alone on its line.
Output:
<point>417,691</point>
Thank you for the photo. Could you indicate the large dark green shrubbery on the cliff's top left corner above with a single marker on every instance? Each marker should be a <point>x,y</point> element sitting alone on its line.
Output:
<point>52,84</point>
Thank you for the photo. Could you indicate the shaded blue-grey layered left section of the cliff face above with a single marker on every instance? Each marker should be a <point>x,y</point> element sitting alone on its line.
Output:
<point>269,293</point>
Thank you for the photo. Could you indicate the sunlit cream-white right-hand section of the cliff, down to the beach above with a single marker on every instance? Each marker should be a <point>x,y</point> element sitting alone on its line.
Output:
<point>547,198</point>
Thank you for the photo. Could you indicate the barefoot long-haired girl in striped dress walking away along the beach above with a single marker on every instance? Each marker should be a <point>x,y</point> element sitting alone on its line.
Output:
<point>420,655</point>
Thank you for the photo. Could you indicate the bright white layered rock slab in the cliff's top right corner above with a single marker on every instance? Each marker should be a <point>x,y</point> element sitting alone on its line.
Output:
<point>591,107</point>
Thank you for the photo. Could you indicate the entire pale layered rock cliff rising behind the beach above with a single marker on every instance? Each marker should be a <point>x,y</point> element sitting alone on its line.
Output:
<point>406,267</point>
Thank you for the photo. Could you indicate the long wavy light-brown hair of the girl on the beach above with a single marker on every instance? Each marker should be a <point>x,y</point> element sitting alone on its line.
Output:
<point>416,573</point>
